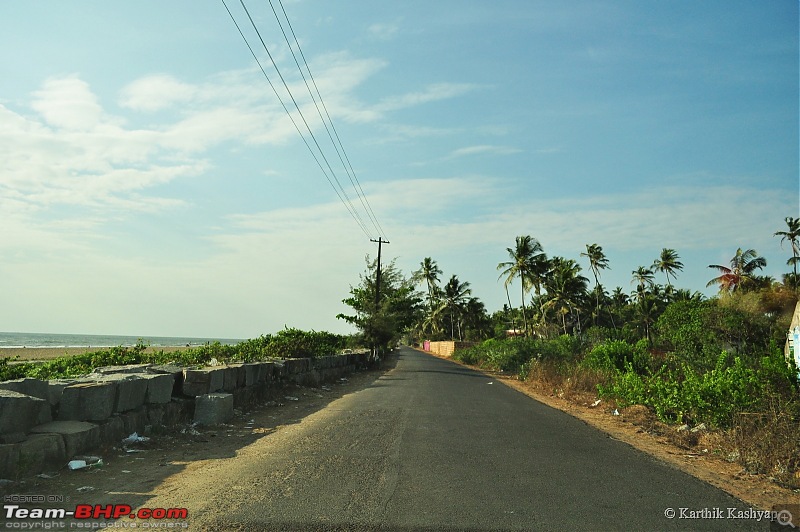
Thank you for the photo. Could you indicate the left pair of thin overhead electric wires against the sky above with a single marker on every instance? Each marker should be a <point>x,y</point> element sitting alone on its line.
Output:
<point>340,192</point>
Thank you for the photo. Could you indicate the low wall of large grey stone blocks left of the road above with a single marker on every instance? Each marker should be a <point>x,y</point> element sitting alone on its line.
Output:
<point>44,424</point>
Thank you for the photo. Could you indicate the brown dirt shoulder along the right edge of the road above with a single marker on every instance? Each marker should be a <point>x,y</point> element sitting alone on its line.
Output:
<point>636,426</point>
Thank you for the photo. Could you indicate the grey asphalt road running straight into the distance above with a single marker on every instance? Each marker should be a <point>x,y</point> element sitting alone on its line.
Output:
<point>434,446</point>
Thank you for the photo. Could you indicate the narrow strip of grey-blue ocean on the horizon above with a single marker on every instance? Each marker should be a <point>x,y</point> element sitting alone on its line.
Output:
<point>8,339</point>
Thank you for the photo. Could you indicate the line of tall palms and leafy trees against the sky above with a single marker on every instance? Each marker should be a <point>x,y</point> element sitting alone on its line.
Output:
<point>554,296</point>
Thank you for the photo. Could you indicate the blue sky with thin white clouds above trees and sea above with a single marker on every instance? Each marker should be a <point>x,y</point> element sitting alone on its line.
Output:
<point>151,182</point>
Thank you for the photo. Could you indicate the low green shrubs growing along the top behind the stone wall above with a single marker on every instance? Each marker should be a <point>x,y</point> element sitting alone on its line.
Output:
<point>288,343</point>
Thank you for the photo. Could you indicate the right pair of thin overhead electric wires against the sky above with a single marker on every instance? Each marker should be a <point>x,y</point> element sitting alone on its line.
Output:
<point>343,158</point>
